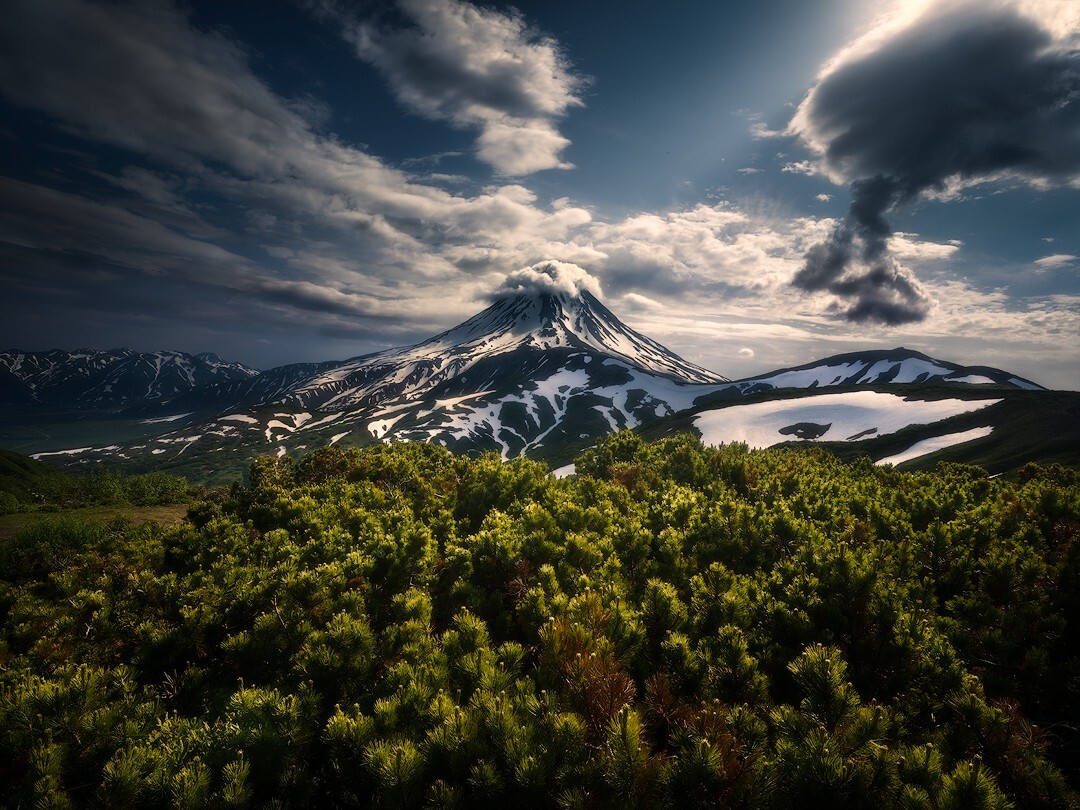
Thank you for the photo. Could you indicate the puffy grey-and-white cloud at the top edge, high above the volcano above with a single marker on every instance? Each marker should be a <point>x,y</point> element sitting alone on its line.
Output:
<point>479,69</point>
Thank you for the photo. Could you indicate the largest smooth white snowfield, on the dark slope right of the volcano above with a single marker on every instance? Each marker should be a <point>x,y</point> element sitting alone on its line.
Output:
<point>834,417</point>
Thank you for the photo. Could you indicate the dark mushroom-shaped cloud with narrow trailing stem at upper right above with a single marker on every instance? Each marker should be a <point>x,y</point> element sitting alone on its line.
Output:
<point>969,96</point>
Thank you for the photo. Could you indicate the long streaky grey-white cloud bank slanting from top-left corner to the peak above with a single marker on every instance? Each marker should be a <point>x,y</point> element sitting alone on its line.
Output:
<point>327,215</point>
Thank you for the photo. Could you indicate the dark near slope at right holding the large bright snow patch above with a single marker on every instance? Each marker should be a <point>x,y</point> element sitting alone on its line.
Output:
<point>914,426</point>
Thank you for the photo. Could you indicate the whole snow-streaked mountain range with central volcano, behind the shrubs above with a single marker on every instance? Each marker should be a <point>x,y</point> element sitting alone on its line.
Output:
<point>535,374</point>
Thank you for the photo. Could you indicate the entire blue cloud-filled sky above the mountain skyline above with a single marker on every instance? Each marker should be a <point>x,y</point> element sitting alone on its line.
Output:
<point>755,185</point>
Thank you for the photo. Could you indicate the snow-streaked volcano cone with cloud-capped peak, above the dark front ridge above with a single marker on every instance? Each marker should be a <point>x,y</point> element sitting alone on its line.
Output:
<point>544,321</point>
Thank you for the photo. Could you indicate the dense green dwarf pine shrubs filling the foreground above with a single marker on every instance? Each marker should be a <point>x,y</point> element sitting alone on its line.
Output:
<point>677,627</point>
